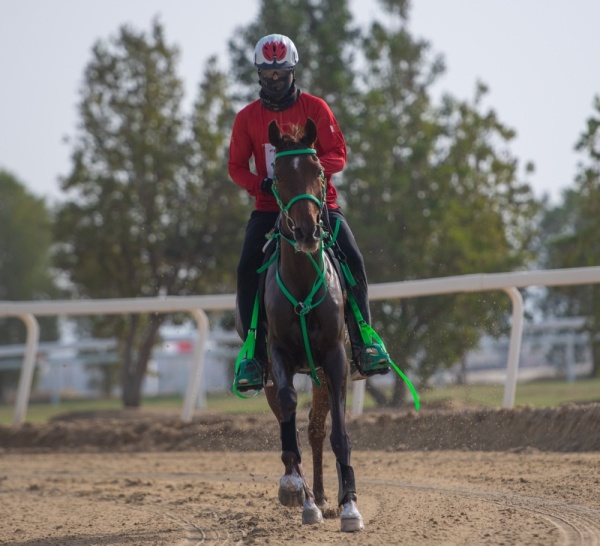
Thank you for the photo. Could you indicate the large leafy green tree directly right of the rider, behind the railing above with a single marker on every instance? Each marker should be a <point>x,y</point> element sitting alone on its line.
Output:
<point>442,185</point>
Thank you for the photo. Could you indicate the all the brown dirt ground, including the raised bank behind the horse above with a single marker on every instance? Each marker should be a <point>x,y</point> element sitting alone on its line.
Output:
<point>449,475</point>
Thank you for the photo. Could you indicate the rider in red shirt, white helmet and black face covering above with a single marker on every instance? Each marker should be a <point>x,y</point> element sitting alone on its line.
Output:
<point>275,56</point>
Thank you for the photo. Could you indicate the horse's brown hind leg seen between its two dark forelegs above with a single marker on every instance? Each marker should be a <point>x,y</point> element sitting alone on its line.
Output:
<point>317,430</point>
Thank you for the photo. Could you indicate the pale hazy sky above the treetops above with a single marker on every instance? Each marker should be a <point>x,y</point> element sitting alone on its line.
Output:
<point>540,59</point>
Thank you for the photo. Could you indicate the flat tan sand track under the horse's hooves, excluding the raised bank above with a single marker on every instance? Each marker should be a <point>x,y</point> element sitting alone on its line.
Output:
<point>443,497</point>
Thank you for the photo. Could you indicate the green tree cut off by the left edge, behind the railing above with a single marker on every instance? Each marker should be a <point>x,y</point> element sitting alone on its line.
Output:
<point>25,238</point>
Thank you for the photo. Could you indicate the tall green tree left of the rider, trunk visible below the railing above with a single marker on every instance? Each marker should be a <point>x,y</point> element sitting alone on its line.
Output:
<point>132,225</point>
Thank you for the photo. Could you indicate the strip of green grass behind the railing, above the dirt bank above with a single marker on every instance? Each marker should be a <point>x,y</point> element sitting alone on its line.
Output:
<point>547,393</point>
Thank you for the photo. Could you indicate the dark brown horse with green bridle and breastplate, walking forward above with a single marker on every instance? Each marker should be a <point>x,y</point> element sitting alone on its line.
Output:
<point>305,313</point>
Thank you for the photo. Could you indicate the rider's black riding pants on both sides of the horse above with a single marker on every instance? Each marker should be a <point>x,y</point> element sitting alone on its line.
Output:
<point>259,224</point>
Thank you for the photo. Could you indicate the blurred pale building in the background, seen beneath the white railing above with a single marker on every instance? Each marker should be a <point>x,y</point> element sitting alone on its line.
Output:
<point>89,368</point>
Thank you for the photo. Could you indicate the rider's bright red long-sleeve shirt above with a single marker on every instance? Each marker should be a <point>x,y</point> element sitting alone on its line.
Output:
<point>250,137</point>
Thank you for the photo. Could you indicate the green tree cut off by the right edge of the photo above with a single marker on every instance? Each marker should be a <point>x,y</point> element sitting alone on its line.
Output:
<point>572,231</point>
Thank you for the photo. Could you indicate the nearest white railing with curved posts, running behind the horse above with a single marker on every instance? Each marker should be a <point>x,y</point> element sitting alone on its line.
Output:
<point>197,305</point>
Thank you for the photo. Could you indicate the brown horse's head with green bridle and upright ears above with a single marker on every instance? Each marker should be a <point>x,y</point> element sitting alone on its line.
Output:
<point>299,184</point>
